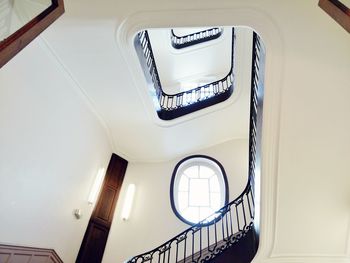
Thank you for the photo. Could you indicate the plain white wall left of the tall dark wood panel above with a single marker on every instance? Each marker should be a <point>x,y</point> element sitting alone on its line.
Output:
<point>51,146</point>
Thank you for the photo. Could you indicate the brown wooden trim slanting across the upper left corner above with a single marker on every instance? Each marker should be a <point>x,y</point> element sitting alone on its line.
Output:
<point>10,46</point>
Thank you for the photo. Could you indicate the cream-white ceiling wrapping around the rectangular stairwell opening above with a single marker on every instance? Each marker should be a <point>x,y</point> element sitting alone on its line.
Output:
<point>305,180</point>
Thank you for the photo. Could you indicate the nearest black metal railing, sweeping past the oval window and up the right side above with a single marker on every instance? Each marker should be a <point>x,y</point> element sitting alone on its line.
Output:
<point>213,235</point>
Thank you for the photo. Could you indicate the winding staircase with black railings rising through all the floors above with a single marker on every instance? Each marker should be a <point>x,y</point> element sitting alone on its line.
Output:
<point>232,233</point>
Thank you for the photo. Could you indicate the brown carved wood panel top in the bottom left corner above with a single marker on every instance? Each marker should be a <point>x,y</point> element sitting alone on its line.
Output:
<point>10,253</point>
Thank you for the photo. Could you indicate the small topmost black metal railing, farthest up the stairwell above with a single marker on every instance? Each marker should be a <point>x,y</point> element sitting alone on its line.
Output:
<point>179,42</point>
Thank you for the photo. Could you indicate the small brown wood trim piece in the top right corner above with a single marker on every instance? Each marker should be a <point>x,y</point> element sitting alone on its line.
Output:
<point>338,11</point>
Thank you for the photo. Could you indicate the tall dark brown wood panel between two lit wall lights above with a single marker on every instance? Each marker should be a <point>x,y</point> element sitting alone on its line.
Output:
<point>96,235</point>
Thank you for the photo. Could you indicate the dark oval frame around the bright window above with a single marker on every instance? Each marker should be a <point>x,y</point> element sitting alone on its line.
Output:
<point>175,173</point>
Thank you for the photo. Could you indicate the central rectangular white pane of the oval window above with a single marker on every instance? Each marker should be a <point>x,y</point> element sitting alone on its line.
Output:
<point>199,192</point>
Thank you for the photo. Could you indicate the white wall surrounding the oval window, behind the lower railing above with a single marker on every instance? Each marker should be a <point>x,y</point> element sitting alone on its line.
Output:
<point>152,220</point>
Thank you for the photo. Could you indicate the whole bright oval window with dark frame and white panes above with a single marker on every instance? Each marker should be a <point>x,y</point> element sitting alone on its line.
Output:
<point>198,188</point>
